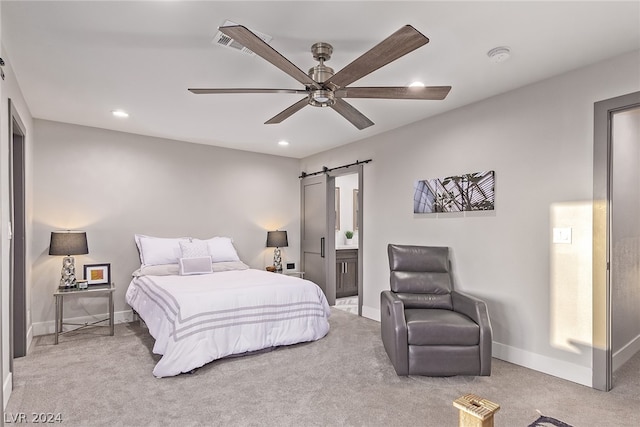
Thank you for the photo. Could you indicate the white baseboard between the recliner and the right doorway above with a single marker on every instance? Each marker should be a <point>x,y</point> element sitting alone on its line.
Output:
<point>557,368</point>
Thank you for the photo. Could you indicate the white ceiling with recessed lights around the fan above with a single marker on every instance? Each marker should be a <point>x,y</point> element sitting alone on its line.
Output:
<point>76,61</point>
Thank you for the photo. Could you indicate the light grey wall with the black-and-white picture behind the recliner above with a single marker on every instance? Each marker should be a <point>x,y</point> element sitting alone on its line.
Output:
<point>539,142</point>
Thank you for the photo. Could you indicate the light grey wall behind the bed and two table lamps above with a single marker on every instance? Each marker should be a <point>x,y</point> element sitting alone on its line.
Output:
<point>115,184</point>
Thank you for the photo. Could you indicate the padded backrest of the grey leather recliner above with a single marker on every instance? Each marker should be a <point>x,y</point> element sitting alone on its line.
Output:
<point>420,275</point>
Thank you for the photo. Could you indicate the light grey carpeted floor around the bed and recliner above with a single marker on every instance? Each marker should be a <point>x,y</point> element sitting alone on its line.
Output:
<point>345,379</point>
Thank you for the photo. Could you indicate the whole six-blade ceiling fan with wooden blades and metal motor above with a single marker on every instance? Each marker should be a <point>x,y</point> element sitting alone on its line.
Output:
<point>323,87</point>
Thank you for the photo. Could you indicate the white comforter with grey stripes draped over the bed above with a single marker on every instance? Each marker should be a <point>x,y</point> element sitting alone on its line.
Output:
<point>200,318</point>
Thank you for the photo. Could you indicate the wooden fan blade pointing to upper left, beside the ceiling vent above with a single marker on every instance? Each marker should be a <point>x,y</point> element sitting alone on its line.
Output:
<point>245,37</point>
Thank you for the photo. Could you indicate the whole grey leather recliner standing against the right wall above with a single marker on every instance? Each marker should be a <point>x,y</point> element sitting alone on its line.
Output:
<point>427,327</point>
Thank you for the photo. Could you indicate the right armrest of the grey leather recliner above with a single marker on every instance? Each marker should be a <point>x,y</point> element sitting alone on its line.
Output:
<point>476,309</point>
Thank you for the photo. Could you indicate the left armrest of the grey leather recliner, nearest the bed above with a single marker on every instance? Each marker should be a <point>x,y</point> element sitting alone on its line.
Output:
<point>394,331</point>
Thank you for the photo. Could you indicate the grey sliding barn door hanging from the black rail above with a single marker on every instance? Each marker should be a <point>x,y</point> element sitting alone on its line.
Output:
<point>317,243</point>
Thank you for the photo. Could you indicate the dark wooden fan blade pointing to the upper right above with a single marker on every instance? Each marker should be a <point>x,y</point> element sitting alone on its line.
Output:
<point>403,41</point>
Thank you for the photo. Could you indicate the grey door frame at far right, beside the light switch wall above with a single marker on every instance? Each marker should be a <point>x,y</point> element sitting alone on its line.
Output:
<point>602,373</point>
